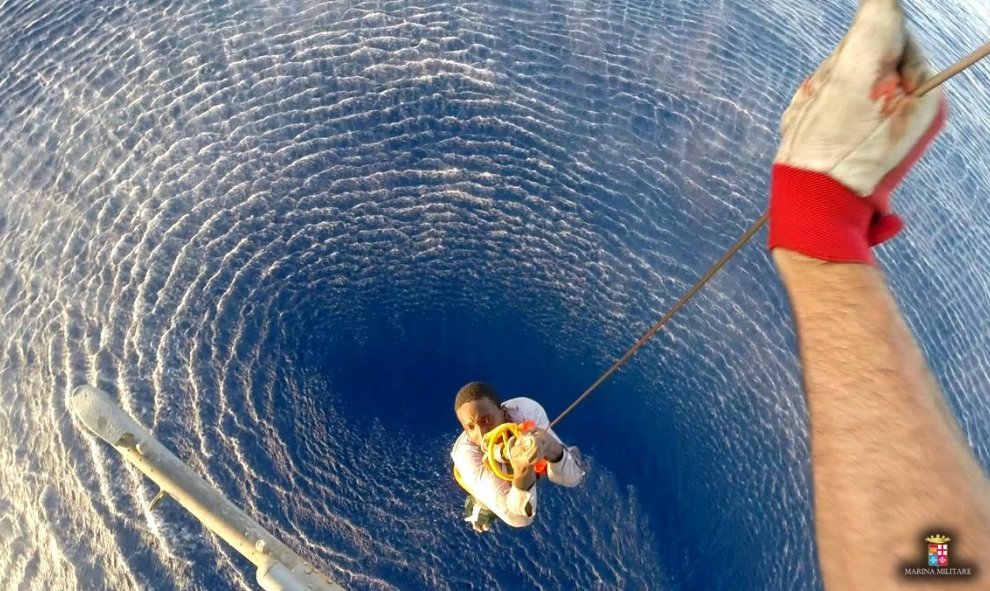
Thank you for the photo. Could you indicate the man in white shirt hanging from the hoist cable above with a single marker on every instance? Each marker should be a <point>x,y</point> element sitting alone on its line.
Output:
<point>481,465</point>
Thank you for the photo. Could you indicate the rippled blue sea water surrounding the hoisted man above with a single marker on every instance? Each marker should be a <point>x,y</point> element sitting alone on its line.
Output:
<point>283,235</point>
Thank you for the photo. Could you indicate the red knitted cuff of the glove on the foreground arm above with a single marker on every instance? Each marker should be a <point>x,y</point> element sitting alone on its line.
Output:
<point>815,215</point>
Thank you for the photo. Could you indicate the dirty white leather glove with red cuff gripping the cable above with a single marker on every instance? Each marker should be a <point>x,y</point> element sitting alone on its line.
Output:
<point>849,137</point>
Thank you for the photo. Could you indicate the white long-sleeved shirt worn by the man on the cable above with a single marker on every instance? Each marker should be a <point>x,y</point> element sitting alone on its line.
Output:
<point>512,505</point>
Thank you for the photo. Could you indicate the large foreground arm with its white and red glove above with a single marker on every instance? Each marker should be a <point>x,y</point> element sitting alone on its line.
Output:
<point>890,465</point>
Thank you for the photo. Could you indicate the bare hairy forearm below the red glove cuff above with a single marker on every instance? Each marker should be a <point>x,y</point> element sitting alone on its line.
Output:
<point>890,464</point>
